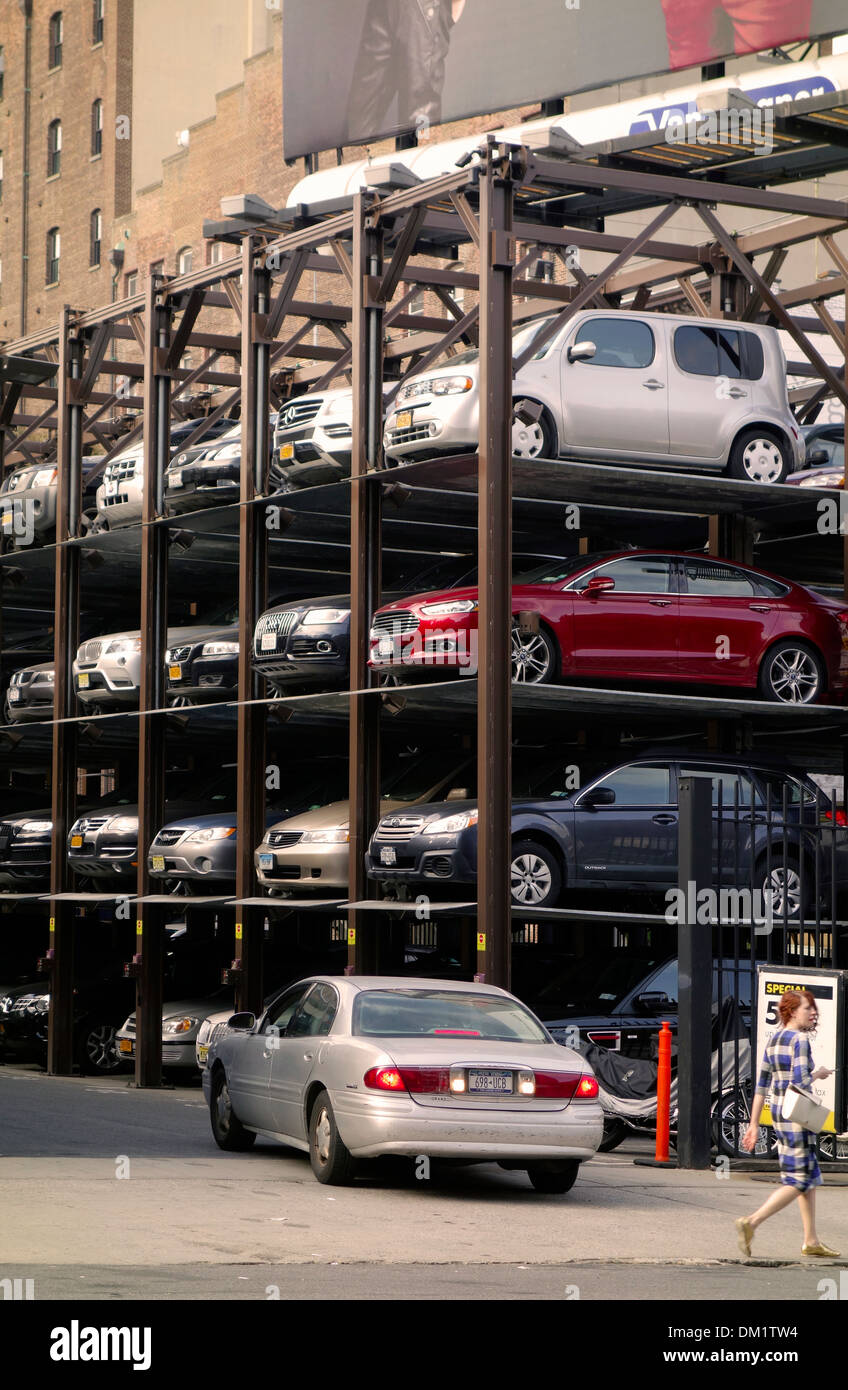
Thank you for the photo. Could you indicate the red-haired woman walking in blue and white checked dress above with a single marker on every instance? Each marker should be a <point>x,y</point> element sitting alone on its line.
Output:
<point>789,1060</point>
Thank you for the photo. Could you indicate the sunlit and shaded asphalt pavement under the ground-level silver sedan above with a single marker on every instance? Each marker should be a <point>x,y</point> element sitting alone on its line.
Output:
<point>113,1193</point>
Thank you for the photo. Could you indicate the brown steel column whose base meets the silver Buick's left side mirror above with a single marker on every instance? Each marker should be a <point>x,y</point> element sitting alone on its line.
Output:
<point>254,596</point>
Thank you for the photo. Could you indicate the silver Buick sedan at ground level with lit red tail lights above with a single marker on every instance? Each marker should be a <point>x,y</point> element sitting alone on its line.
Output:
<point>362,1068</point>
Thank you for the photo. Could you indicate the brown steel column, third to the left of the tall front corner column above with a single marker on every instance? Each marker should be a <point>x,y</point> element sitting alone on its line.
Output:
<point>152,694</point>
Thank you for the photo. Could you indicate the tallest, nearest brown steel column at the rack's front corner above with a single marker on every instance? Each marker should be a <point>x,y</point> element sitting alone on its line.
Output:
<point>494,669</point>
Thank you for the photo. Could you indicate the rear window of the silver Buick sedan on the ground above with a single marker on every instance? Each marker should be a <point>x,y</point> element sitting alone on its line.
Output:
<point>450,1014</point>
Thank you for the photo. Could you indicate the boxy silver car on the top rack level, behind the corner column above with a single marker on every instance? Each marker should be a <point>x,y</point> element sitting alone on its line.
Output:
<point>661,390</point>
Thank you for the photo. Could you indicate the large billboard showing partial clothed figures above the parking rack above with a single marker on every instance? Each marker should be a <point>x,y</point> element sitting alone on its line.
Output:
<point>364,70</point>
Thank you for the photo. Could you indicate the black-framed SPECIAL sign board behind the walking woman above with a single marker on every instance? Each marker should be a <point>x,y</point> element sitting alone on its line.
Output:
<point>828,1039</point>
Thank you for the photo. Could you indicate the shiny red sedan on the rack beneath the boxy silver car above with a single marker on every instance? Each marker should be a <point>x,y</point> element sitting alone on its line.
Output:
<point>637,615</point>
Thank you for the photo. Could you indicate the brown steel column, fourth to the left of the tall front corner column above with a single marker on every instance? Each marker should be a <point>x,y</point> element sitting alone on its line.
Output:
<point>60,1025</point>
